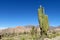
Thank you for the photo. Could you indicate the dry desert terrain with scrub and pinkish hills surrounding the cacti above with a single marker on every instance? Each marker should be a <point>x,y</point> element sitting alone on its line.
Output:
<point>23,33</point>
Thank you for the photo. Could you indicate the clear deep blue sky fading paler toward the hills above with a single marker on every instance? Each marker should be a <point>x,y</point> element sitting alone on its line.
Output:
<point>24,12</point>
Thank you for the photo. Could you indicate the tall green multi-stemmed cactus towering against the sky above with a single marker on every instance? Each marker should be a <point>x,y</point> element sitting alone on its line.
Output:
<point>43,21</point>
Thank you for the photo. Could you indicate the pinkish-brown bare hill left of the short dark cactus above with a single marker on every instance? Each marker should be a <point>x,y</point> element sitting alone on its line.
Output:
<point>18,29</point>
